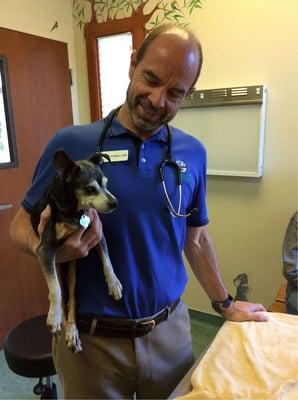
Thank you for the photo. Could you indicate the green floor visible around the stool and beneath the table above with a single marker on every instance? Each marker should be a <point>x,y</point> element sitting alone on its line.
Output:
<point>204,328</point>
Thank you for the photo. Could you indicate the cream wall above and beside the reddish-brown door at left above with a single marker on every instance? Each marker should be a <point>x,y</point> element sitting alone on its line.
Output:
<point>37,17</point>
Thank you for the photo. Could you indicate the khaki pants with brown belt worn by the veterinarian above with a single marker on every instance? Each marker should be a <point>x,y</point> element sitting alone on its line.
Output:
<point>147,367</point>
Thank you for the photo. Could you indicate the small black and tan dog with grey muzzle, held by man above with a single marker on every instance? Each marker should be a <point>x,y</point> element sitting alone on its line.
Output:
<point>77,187</point>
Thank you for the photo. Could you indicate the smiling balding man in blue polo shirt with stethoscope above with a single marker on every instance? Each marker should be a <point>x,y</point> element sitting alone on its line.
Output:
<point>147,348</point>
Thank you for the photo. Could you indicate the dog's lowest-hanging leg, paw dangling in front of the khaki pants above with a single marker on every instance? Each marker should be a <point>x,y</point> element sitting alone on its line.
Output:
<point>71,331</point>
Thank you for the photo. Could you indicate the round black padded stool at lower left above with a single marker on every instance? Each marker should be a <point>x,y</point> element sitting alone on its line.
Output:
<point>28,352</point>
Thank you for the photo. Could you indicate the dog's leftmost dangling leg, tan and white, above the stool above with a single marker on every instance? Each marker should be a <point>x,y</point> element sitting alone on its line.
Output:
<point>46,253</point>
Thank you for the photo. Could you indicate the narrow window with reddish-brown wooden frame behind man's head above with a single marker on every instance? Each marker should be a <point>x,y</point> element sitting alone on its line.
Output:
<point>107,67</point>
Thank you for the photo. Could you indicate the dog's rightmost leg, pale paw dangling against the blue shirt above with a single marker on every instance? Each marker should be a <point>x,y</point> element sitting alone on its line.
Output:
<point>114,285</point>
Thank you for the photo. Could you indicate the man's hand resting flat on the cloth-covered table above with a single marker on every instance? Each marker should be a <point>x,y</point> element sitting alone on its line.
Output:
<point>242,311</point>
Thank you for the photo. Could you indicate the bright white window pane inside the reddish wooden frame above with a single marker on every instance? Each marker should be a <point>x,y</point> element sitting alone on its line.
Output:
<point>114,60</point>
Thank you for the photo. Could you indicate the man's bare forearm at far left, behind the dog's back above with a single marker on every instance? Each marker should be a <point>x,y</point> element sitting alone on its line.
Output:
<point>22,233</point>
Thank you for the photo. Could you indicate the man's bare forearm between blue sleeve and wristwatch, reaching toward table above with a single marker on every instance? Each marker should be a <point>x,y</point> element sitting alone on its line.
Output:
<point>200,253</point>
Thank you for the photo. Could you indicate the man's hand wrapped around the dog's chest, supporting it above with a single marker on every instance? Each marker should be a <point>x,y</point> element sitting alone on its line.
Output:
<point>78,244</point>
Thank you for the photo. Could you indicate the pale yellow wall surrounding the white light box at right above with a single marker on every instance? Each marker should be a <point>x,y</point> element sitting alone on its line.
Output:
<point>246,43</point>
